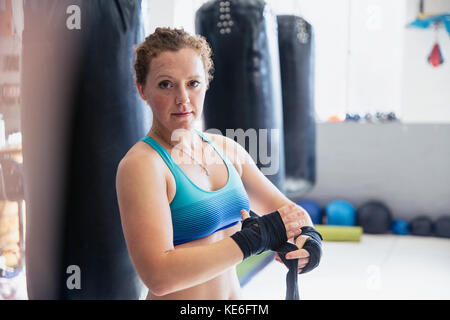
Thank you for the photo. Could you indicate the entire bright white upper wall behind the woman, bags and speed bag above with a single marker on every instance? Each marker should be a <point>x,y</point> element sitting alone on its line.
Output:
<point>366,59</point>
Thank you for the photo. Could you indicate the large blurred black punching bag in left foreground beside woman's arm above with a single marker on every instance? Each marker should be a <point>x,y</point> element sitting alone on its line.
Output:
<point>80,115</point>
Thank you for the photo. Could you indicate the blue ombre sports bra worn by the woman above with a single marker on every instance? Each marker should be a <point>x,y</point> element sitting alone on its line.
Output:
<point>197,213</point>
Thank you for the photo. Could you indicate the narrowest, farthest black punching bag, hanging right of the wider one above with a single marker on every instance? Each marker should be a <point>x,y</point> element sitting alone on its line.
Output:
<point>296,43</point>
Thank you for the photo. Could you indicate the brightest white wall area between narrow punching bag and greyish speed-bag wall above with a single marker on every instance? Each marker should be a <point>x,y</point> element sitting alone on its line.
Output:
<point>358,53</point>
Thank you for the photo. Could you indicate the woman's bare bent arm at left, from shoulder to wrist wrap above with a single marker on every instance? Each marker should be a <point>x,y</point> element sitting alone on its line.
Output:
<point>147,226</point>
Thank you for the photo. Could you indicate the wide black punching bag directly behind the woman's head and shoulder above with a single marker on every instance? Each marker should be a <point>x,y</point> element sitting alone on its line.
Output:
<point>245,93</point>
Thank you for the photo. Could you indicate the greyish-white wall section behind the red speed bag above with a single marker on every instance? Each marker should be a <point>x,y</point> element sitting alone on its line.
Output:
<point>425,90</point>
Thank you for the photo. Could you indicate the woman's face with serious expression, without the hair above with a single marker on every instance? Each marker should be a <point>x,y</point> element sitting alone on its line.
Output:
<point>175,88</point>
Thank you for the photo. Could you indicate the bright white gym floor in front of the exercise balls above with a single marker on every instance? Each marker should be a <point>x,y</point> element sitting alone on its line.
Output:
<point>379,267</point>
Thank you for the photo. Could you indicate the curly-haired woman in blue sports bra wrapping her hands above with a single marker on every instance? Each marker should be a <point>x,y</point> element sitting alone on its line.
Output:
<point>179,216</point>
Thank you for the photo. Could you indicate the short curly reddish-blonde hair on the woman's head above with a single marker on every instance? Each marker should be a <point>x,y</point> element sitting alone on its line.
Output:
<point>167,39</point>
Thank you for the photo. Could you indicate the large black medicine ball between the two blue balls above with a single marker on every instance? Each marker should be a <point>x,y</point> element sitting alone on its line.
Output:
<point>374,217</point>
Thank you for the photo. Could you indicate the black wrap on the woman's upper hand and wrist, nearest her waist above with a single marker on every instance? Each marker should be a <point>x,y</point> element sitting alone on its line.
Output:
<point>259,234</point>
